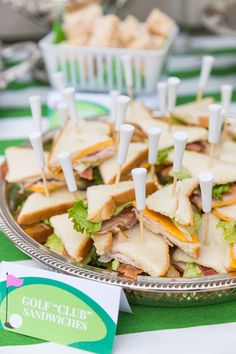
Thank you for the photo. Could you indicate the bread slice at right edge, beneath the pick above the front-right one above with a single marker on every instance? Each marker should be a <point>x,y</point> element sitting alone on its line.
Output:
<point>195,163</point>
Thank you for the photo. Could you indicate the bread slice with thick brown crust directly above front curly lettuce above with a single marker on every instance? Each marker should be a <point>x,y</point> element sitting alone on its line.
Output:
<point>103,199</point>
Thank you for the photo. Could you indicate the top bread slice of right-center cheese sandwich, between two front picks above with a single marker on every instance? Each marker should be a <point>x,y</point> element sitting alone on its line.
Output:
<point>177,206</point>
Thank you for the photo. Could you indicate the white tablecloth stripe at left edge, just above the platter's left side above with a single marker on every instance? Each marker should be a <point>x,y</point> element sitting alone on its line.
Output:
<point>18,128</point>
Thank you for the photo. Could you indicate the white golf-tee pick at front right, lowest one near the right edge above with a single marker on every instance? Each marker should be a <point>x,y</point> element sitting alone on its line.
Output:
<point>206,184</point>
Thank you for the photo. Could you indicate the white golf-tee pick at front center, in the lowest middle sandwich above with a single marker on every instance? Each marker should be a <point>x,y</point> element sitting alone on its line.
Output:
<point>139,177</point>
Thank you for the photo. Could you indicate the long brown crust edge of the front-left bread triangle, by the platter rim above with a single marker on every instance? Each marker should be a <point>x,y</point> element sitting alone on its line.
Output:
<point>33,217</point>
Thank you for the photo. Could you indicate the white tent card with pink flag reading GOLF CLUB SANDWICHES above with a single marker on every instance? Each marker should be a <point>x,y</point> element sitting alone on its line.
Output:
<point>59,308</point>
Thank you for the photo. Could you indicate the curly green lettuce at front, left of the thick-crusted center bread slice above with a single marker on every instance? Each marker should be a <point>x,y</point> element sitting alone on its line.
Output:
<point>79,214</point>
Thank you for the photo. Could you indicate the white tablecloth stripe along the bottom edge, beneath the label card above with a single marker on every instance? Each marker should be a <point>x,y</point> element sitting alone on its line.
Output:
<point>213,339</point>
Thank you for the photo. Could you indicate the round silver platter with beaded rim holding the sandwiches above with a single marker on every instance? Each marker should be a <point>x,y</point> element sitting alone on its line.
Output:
<point>145,290</point>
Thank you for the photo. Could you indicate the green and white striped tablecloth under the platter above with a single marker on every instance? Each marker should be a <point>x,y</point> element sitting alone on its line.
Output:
<point>15,124</point>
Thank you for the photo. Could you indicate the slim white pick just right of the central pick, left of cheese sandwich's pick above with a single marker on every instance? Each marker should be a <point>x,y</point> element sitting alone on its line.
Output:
<point>153,142</point>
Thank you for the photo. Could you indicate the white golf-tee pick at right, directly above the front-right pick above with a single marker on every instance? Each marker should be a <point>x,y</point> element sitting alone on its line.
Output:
<point>215,121</point>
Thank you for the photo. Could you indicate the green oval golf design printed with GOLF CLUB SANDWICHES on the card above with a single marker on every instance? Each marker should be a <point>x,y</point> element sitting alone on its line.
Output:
<point>54,311</point>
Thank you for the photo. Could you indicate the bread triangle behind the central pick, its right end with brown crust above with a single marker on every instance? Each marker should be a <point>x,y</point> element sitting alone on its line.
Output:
<point>137,153</point>
